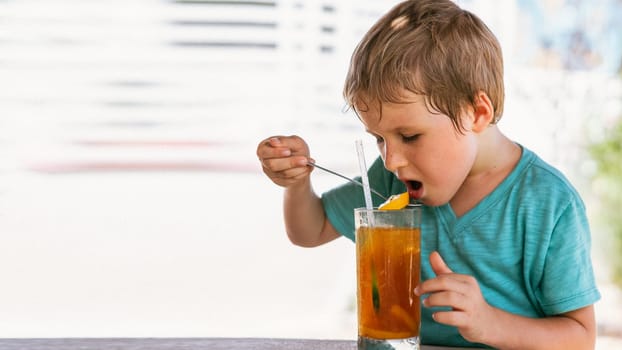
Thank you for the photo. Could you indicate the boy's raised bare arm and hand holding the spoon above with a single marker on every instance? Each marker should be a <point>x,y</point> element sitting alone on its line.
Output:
<point>284,161</point>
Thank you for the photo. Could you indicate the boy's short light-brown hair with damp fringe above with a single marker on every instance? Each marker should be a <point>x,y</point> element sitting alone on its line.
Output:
<point>432,48</point>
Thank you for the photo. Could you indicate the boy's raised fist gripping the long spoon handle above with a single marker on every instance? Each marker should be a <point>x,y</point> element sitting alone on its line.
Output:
<point>284,159</point>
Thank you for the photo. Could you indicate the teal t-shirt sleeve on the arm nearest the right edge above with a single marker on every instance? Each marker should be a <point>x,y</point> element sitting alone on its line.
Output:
<point>568,281</point>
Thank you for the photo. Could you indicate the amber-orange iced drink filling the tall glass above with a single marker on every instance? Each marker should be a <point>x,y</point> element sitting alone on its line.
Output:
<point>388,270</point>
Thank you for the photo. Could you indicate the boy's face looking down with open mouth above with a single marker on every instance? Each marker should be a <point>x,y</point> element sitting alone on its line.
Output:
<point>423,148</point>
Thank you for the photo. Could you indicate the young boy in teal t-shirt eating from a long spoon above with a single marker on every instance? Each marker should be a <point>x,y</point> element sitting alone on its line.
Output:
<point>506,234</point>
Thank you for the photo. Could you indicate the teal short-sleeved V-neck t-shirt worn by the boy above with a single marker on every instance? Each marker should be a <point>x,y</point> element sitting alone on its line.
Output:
<point>527,243</point>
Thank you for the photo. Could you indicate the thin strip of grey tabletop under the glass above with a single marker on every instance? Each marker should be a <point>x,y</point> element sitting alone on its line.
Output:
<point>180,344</point>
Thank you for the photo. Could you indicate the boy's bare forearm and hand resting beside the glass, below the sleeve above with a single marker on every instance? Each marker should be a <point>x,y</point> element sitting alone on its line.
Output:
<point>479,322</point>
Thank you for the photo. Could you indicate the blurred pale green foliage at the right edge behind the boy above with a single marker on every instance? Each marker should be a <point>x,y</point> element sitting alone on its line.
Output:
<point>608,186</point>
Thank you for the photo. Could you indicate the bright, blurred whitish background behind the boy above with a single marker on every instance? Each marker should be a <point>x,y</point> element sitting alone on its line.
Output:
<point>131,199</point>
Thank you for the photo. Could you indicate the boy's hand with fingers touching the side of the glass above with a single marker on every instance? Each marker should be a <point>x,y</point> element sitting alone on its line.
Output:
<point>470,313</point>
